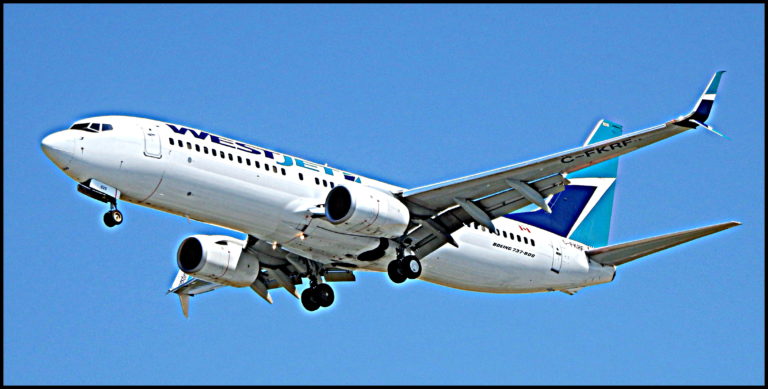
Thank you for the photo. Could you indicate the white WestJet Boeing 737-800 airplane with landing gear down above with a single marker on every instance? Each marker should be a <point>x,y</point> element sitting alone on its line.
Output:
<point>536,226</point>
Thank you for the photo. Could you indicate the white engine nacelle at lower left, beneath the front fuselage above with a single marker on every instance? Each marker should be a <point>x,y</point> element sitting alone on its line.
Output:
<point>217,258</point>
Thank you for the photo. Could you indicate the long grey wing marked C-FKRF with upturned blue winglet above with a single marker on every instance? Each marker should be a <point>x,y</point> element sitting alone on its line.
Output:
<point>440,209</point>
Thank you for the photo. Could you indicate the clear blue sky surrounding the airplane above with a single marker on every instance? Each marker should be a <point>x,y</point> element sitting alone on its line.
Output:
<point>410,94</point>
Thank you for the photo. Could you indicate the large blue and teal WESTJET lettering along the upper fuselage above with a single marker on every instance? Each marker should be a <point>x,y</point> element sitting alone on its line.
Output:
<point>280,159</point>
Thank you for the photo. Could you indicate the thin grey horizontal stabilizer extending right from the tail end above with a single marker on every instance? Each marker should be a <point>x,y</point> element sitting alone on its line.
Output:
<point>622,253</point>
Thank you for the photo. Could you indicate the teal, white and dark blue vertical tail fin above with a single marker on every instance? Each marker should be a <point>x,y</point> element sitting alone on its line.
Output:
<point>582,211</point>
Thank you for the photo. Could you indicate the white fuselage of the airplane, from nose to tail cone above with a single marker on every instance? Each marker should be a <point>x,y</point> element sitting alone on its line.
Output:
<point>270,195</point>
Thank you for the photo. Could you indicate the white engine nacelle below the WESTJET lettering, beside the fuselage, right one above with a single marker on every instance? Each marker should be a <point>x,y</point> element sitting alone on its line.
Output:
<point>367,211</point>
